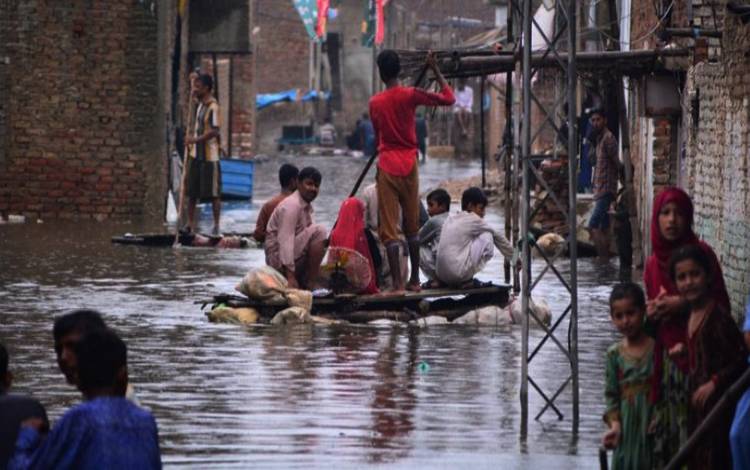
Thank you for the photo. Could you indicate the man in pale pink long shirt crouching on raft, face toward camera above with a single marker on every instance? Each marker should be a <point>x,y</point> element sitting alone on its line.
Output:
<point>294,245</point>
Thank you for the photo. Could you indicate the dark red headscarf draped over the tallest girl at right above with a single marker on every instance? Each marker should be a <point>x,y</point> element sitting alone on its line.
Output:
<point>656,275</point>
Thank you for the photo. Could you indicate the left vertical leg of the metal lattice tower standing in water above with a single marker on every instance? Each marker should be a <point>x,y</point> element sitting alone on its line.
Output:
<point>526,161</point>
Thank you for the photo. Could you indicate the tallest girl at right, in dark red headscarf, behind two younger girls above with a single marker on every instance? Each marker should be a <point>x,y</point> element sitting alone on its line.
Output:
<point>671,229</point>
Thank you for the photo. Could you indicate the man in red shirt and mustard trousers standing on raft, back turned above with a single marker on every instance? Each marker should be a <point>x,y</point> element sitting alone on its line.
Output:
<point>393,114</point>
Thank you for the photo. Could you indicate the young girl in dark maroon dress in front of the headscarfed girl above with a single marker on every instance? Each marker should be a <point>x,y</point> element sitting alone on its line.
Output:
<point>715,351</point>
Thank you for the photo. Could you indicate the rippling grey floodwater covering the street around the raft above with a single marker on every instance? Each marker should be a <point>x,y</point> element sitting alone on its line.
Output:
<point>304,396</point>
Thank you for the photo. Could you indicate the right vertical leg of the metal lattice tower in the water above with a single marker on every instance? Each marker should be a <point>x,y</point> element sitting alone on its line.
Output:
<point>572,193</point>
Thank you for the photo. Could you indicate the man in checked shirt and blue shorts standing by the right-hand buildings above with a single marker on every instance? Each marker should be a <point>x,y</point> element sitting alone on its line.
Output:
<point>606,174</point>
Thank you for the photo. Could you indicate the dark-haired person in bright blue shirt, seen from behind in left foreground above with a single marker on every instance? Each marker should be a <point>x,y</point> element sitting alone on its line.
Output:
<point>106,430</point>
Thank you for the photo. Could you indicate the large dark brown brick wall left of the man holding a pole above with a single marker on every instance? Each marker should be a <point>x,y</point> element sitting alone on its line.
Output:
<point>82,120</point>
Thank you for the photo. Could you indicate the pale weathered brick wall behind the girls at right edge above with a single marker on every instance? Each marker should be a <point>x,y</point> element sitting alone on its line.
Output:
<point>718,173</point>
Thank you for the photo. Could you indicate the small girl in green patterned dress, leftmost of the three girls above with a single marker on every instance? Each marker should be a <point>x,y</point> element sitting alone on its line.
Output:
<point>628,381</point>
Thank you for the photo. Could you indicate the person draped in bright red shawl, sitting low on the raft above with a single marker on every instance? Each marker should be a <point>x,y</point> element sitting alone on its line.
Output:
<point>349,233</point>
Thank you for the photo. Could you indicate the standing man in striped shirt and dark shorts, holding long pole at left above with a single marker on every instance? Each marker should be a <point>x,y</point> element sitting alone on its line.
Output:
<point>204,180</point>
